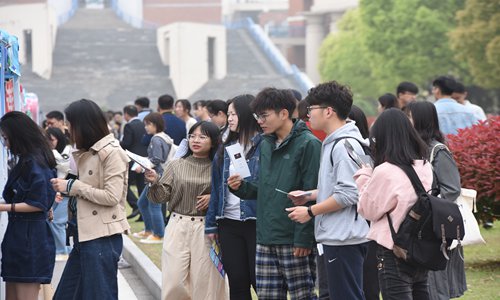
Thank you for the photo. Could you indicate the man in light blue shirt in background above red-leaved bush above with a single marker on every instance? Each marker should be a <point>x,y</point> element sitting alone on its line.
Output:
<point>451,115</point>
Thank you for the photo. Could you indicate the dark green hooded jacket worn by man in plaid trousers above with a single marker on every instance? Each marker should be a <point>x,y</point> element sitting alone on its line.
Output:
<point>293,165</point>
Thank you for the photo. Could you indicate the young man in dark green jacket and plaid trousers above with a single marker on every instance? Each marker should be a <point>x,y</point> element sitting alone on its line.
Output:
<point>289,160</point>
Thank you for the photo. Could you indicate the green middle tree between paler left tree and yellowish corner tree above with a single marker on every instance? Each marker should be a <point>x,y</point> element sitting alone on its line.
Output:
<point>409,39</point>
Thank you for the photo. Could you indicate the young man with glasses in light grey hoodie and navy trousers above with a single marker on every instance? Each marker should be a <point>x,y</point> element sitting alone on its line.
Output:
<point>338,227</point>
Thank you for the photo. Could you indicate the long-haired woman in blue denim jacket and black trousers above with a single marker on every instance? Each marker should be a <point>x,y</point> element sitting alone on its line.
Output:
<point>229,218</point>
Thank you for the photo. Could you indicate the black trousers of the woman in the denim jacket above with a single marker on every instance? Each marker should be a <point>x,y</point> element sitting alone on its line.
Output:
<point>238,243</point>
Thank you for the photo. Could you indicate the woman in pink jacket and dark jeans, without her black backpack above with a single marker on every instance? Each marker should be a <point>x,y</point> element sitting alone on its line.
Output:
<point>387,190</point>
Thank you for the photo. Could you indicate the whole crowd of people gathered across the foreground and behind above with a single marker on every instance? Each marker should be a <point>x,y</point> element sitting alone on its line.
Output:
<point>306,214</point>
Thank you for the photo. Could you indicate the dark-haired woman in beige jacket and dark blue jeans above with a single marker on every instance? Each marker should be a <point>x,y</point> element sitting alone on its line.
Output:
<point>97,207</point>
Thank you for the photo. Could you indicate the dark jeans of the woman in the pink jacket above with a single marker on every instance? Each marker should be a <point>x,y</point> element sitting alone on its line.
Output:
<point>399,280</point>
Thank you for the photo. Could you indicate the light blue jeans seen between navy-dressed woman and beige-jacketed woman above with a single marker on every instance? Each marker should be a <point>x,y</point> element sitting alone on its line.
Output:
<point>58,226</point>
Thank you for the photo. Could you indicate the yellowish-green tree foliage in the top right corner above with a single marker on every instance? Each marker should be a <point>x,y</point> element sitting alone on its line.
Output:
<point>476,40</point>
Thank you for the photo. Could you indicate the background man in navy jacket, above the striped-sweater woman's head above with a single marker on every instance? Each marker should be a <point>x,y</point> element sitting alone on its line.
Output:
<point>174,127</point>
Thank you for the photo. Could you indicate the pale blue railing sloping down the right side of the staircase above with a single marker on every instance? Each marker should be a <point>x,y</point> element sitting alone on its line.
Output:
<point>272,53</point>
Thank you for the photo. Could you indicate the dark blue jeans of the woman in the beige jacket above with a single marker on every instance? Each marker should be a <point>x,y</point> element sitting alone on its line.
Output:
<point>91,270</point>
